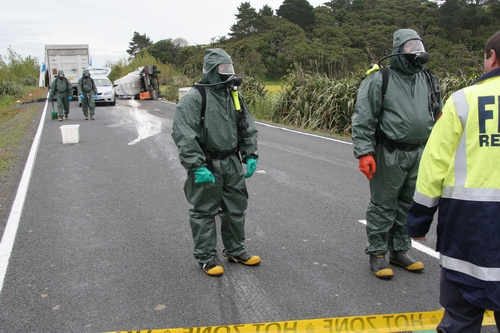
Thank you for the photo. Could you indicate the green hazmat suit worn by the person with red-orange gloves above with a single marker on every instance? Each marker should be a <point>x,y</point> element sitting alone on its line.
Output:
<point>407,122</point>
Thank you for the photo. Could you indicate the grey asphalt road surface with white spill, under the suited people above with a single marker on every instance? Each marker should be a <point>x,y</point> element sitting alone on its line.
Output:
<point>103,241</point>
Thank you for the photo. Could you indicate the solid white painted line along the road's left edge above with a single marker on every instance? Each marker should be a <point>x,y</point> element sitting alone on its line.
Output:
<point>9,234</point>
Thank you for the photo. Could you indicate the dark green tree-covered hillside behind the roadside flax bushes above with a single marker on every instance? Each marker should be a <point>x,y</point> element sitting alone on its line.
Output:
<point>338,38</point>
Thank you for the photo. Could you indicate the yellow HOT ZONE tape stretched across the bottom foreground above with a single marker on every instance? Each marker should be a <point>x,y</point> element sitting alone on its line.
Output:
<point>416,321</point>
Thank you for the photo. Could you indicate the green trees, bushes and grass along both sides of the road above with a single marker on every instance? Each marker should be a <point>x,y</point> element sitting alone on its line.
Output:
<point>301,65</point>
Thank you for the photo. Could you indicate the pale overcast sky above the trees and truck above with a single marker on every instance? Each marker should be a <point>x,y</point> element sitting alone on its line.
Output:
<point>108,26</point>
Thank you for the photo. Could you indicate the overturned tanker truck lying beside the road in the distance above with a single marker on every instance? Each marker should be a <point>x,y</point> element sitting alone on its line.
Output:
<point>142,83</point>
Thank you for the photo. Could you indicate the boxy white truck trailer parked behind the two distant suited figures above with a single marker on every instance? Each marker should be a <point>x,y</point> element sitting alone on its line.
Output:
<point>71,58</point>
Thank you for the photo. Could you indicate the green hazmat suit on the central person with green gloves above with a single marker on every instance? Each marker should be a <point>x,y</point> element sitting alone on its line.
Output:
<point>218,137</point>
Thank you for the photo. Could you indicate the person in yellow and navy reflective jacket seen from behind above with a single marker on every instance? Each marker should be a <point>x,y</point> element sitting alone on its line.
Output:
<point>460,174</point>
